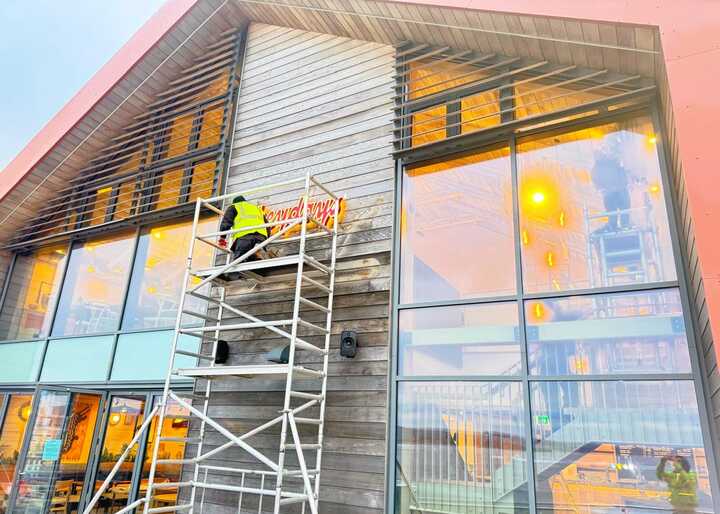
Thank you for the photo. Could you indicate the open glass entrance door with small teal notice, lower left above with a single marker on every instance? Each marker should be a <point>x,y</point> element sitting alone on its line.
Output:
<point>58,446</point>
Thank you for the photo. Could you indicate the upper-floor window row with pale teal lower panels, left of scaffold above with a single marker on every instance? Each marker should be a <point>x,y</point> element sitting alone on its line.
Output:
<point>119,299</point>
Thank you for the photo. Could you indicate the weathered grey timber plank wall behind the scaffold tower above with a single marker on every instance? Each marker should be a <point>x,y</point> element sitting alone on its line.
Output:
<point>319,103</point>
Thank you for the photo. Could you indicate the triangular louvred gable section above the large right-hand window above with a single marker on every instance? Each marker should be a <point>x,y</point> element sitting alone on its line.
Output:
<point>443,94</point>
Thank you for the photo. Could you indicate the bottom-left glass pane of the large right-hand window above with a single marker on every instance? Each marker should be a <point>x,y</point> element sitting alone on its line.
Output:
<point>461,448</point>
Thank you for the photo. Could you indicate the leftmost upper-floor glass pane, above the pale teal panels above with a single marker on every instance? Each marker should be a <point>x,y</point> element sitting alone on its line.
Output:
<point>31,294</point>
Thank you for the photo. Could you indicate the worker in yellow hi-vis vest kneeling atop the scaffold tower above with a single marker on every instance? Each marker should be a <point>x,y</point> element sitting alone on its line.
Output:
<point>239,214</point>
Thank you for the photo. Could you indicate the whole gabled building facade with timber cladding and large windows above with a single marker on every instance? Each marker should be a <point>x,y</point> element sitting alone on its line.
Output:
<point>518,256</point>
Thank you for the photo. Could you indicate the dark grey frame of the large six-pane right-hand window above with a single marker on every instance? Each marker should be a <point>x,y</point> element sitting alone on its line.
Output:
<point>697,374</point>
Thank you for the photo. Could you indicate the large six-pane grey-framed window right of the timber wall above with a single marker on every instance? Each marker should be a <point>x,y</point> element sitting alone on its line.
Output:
<point>541,341</point>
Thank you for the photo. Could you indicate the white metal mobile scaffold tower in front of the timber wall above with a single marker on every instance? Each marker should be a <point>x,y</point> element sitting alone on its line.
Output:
<point>295,482</point>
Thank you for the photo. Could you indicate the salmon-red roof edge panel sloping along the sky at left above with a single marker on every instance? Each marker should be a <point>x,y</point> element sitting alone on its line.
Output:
<point>94,91</point>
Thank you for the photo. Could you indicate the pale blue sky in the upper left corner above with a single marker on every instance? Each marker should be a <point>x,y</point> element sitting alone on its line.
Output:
<point>48,50</point>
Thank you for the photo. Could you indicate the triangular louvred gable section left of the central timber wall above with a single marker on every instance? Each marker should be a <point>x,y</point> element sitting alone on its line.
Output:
<point>171,154</point>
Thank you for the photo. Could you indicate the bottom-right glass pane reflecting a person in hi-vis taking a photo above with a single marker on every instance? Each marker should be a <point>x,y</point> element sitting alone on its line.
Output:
<point>606,447</point>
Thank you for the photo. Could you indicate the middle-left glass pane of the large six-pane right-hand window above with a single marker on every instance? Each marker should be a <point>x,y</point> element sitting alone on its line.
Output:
<point>462,340</point>
